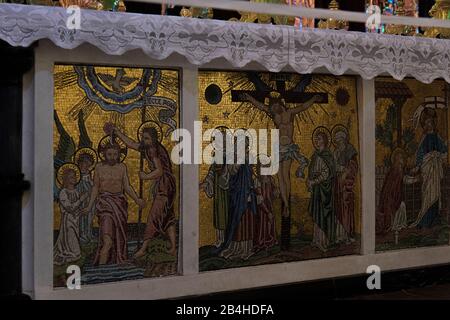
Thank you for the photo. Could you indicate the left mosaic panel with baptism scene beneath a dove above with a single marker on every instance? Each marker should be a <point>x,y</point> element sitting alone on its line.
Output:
<point>116,192</point>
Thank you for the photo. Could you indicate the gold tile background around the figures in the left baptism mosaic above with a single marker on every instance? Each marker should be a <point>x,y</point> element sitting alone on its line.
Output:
<point>66,98</point>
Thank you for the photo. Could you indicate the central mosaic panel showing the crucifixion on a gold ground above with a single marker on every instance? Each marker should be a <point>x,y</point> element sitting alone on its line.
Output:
<point>311,207</point>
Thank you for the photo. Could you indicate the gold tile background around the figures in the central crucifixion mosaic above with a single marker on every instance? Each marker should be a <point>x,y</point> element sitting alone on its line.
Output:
<point>242,117</point>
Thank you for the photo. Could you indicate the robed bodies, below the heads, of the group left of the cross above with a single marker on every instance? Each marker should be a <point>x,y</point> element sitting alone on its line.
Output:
<point>243,208</point>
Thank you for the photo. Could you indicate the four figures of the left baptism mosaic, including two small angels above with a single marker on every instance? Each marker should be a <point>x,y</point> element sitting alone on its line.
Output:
<point>82,196</point>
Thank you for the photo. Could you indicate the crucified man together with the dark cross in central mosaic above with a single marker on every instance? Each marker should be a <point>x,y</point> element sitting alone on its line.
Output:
<point>283,118</point>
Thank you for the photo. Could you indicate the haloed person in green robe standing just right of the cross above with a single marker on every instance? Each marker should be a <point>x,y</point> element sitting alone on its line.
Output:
<point>320,183</point>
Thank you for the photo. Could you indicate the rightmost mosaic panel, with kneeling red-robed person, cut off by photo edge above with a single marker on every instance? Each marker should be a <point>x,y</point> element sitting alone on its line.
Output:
<point>412,166</point>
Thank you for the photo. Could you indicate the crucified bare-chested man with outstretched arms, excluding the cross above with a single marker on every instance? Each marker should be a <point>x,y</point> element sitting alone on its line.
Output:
<point>283,118</point>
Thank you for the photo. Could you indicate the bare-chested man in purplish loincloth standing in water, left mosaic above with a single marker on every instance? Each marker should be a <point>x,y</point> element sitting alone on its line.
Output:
<point>111,184</point>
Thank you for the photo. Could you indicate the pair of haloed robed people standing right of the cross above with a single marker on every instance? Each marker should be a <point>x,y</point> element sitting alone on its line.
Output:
<point>331,181</point>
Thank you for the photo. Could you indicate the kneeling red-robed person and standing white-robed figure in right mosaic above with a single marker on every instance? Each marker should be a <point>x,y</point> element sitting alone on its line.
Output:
<point>430,159</point>
